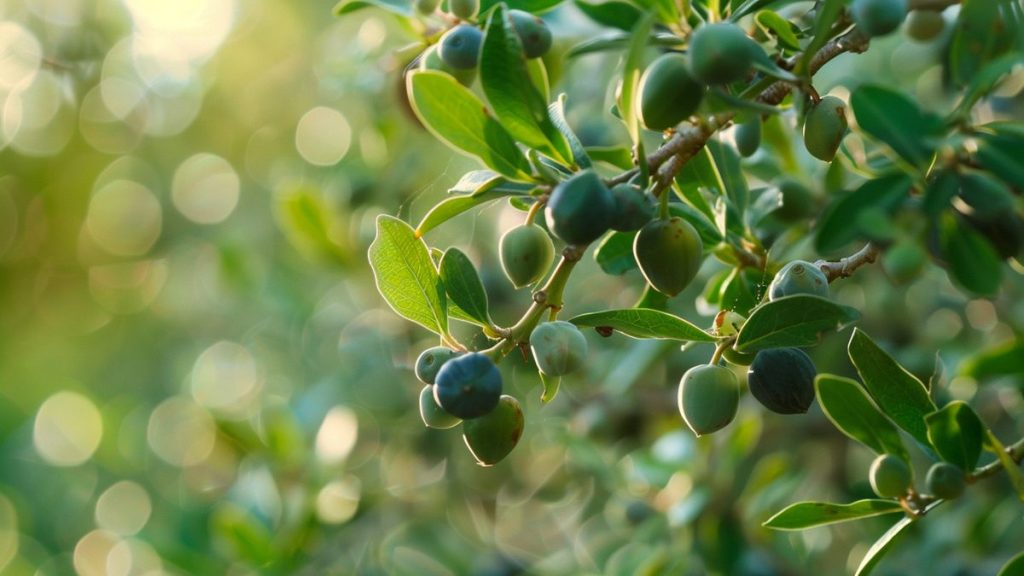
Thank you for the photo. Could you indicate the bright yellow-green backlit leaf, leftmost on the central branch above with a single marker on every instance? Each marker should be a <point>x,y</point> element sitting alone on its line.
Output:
<point>406,276</point>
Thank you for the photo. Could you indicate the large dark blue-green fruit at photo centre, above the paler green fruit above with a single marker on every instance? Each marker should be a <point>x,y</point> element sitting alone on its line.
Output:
<point>581,209</point>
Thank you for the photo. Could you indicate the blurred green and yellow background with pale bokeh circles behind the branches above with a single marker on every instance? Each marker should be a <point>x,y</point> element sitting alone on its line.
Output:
<point>197,376</point>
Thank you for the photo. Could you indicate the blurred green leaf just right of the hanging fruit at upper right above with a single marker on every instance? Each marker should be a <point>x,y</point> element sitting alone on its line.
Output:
<point>894,119</point>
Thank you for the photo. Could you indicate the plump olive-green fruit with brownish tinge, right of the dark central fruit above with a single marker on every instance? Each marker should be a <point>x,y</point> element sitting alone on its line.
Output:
<point>669,254</point>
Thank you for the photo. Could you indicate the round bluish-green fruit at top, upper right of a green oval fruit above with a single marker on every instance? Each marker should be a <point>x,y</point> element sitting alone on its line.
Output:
<point>721,54</point>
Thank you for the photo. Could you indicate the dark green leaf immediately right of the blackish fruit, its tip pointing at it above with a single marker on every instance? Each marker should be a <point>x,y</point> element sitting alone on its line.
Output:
<point>845,403</point>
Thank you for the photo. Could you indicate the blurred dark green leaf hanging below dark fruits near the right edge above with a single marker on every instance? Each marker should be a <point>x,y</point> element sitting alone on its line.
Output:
<point>974,264</point>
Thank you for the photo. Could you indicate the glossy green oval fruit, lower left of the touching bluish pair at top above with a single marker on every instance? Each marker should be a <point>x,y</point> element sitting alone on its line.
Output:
<point>669,94</point>
